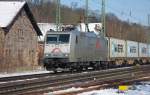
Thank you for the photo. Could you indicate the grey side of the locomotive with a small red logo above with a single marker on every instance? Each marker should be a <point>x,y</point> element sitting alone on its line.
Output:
<point>89,47</point>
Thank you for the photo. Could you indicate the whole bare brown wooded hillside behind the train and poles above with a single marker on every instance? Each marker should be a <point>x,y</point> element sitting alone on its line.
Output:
<point>44,11</point>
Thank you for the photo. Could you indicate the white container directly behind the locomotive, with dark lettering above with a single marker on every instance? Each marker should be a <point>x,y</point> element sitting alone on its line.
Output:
<point>117,48</point>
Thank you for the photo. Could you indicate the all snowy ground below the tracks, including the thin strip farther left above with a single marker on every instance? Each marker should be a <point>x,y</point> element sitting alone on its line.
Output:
<point>140,89</point>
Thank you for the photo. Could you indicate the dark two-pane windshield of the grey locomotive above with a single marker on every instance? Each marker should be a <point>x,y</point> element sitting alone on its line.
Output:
<point>57,38</point>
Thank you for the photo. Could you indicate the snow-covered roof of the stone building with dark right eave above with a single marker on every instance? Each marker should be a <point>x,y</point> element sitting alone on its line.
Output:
<point>9,11</point>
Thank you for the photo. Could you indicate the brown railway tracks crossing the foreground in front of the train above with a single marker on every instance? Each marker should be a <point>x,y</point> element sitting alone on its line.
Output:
<point>55,83</point>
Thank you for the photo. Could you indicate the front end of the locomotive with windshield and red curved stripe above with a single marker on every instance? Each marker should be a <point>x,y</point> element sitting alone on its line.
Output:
<point>56,49</point>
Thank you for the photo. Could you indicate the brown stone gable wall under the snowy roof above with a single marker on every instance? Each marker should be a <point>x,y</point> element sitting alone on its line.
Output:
<point>20,47</point>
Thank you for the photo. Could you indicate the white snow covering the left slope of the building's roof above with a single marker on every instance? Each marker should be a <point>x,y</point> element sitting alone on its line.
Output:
<point>8,11</point>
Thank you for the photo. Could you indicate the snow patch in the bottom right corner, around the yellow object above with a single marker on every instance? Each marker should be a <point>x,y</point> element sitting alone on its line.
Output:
<point>142,89</point>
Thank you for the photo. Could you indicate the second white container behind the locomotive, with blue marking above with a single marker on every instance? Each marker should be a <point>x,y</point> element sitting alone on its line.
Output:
<point>132,49</point>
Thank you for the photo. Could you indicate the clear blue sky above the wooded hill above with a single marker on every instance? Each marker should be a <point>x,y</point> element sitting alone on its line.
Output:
<point>135,11</point>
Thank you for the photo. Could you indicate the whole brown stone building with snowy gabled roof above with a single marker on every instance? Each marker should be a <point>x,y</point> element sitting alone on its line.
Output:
<point>18,36</point>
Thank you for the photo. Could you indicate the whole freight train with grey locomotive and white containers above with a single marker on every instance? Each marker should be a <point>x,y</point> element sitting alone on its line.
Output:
<point>76,50</point>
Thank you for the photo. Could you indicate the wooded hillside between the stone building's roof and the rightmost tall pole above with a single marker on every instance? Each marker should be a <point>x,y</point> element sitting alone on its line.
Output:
<point>45,11</point>
